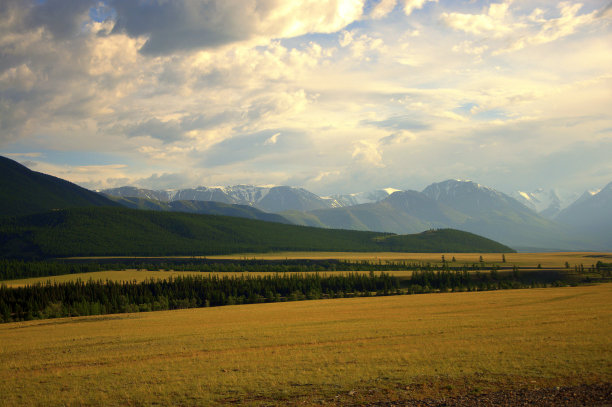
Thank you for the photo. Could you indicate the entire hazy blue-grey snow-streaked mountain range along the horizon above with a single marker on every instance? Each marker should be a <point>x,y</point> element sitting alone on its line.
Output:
<point>459,204</point>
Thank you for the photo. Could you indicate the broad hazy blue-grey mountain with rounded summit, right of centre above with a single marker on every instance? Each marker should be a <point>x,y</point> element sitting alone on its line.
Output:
<point>456,204</point>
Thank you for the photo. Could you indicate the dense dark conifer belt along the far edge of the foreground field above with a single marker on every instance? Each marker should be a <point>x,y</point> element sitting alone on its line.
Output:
<point>78,298</point>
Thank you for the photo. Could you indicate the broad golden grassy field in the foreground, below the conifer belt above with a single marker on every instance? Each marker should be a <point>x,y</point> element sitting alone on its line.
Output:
<point>348,350</point>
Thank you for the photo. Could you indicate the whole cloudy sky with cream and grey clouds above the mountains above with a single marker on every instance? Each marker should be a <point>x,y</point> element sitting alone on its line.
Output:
<point>335,96</point>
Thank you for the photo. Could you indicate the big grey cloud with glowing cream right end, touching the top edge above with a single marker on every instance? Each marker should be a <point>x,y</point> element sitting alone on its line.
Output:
<point>203,24</point>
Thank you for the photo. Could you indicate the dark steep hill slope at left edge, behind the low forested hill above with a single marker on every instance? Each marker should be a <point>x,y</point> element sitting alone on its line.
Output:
<point>26,192</point>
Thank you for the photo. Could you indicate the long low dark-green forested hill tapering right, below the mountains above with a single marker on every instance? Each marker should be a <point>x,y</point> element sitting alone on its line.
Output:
<point>107,231</point>
